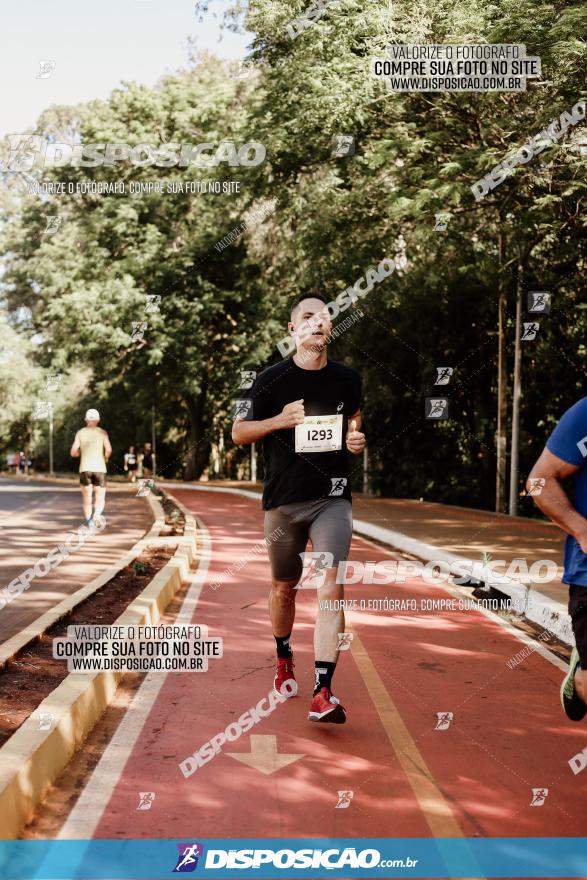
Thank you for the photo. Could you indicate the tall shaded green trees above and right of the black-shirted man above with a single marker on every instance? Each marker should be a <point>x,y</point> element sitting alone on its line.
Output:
<point>418,154</point>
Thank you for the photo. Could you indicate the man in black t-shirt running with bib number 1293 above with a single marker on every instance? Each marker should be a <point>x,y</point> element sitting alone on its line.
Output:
<point>306,410</point>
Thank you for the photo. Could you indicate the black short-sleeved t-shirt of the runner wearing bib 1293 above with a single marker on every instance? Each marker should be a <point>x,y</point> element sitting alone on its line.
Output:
<point>290,476</point>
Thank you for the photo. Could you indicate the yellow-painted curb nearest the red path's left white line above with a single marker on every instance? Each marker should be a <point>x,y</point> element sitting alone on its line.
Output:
<point>32,759</point>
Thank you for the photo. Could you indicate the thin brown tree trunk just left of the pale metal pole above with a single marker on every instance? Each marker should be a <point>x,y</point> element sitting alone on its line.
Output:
<point>502,378</point>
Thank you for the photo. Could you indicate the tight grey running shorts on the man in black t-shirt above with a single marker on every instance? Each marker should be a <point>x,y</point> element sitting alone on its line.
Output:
<point>327,522</point>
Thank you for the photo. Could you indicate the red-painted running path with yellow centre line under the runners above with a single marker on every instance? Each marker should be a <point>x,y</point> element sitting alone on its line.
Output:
<point>508,735</point>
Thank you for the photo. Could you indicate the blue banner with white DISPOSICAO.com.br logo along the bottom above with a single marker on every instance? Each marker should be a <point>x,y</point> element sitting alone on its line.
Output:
<point>288,858</point>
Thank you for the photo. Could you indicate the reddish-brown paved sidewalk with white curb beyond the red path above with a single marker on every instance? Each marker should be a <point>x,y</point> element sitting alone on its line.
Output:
<point>431,531</point>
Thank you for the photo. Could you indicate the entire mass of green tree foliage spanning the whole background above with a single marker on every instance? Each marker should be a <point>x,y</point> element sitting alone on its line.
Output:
<point>416,155</point>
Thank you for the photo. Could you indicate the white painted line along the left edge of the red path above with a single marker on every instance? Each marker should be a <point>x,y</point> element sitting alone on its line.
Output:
<point>93,801</point>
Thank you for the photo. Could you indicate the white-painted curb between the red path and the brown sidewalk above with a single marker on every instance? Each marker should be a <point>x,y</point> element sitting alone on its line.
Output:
<point>529,602</point>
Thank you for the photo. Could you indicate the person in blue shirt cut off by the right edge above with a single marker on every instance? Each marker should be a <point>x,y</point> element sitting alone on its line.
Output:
<point>564,456</point>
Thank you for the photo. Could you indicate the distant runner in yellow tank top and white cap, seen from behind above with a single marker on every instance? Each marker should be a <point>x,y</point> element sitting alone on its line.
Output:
<point>93,447</point>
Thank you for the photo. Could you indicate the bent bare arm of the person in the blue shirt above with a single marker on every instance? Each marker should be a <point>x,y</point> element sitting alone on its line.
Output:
<point>552,498</point>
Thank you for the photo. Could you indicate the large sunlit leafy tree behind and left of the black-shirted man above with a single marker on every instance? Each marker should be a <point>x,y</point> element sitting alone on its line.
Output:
<point>87,284</point>
